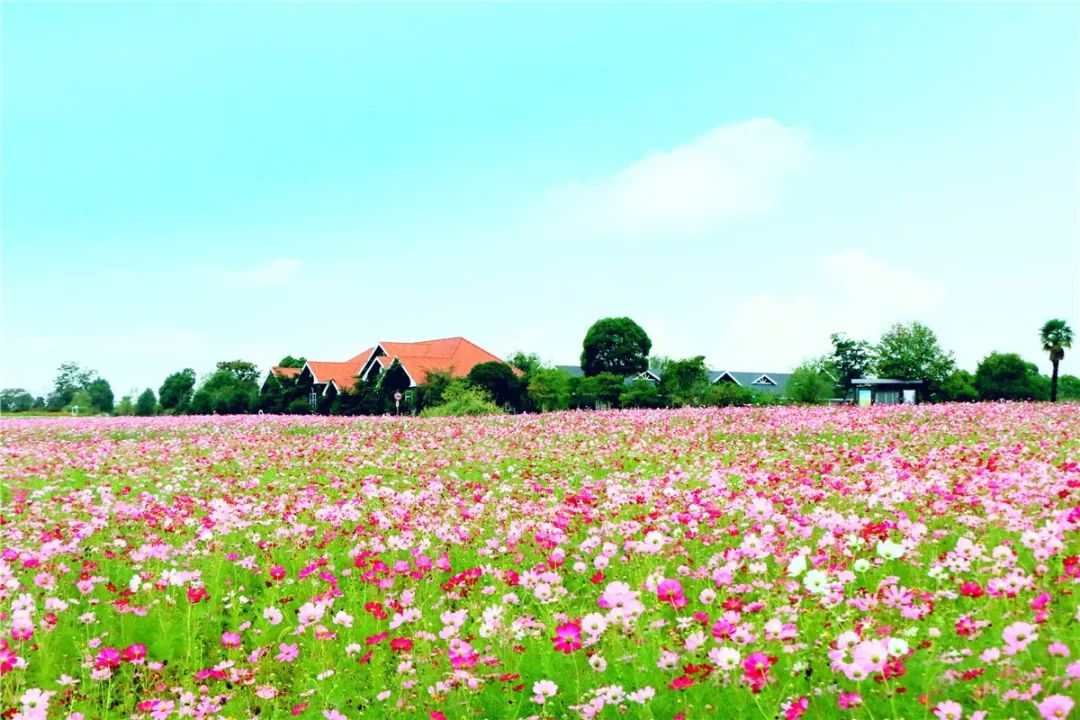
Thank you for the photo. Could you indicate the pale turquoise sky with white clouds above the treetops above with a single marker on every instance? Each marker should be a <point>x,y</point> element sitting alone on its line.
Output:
<point>190,183</point>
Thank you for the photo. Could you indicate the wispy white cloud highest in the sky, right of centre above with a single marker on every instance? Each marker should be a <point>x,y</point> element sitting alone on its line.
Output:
<point>731,171</point>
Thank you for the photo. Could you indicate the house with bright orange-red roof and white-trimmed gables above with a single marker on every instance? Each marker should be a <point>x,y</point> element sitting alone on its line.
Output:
<point>406,364</point>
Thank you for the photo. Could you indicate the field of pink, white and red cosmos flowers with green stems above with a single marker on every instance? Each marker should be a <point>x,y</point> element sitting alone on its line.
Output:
<point>818,563</point>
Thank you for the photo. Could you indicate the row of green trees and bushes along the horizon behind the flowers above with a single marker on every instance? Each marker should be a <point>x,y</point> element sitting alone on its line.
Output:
<point>615,352</point>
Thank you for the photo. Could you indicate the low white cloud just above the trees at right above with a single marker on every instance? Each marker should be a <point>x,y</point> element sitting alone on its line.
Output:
<point>853,293</point>
